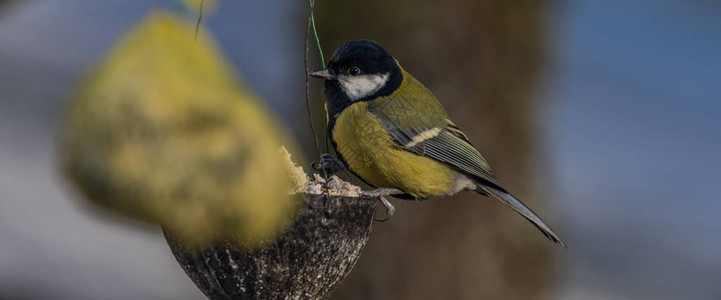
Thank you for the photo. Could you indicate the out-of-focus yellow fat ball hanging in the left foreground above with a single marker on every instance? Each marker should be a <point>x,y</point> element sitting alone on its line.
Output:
<point>163,131</point>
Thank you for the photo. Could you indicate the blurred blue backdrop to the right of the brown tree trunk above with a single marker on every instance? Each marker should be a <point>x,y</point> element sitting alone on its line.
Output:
<point>635,144</point>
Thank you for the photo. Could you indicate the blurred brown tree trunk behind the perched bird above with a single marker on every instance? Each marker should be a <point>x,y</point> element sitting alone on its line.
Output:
<point>481,59</point>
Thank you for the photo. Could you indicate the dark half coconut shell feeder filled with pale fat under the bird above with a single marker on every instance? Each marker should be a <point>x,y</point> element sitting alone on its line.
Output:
<point>307,261</point>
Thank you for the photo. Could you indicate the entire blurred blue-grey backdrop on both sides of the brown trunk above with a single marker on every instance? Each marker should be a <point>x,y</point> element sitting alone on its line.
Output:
<point>631,142</point>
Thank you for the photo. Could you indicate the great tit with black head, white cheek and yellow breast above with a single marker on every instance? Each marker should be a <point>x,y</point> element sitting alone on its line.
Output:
<point>391,132</point>
